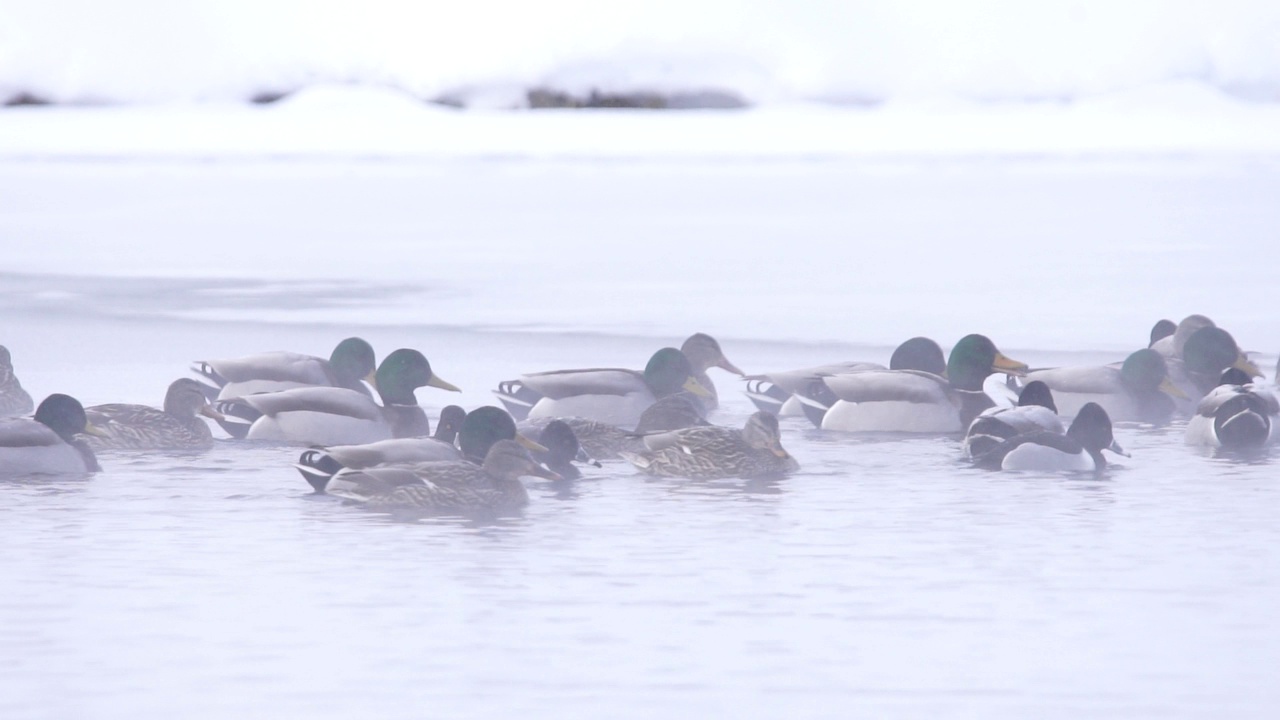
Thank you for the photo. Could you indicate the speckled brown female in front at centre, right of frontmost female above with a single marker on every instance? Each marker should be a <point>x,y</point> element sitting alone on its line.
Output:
<point>711,453</point>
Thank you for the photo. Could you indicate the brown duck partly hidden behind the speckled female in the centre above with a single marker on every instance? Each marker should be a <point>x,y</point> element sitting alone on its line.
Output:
<point>604,441</point>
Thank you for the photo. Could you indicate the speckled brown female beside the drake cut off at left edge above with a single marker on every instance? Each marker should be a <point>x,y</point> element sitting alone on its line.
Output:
<point>139,427</point>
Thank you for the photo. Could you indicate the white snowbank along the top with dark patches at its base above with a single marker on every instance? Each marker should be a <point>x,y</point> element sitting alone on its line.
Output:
<point>764,51</point>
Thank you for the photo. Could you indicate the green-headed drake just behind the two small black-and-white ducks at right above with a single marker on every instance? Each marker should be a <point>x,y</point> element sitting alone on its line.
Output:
<point>1139,390</point>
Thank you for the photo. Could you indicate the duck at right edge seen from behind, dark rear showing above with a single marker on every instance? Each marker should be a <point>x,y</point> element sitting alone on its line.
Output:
<point>1237,414</point>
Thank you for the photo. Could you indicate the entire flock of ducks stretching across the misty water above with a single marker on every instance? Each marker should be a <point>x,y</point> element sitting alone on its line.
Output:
<point>369,441</point>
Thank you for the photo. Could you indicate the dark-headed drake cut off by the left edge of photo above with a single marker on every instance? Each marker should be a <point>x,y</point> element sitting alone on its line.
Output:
<point>48,444</point>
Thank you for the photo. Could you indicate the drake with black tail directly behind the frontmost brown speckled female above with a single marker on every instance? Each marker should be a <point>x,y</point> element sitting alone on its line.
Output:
<point>477,432</point>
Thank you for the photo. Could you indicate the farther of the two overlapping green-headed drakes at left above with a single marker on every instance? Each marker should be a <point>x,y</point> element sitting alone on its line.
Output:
<point>351,362</point>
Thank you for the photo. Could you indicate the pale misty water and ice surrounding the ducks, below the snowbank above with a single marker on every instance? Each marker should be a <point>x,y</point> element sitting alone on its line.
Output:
<point>888,578</point>
